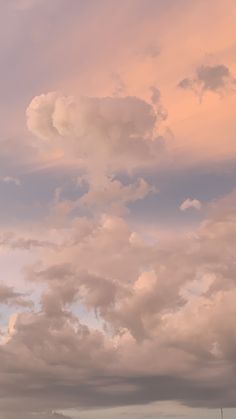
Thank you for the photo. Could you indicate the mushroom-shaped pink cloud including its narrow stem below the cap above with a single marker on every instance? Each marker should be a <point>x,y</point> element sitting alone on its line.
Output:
<point>104,136</point>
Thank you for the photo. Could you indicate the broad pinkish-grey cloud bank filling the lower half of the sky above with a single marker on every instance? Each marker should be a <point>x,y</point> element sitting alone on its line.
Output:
<point>164,310</point>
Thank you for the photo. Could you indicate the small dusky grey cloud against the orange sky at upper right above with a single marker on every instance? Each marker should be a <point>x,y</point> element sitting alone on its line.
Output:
<point>216,79</point>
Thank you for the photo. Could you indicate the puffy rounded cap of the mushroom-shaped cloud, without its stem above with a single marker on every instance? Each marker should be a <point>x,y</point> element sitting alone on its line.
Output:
<point>121,130</point>
